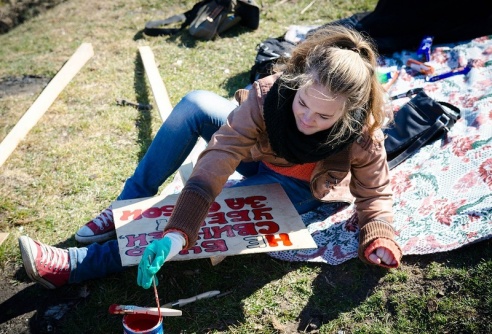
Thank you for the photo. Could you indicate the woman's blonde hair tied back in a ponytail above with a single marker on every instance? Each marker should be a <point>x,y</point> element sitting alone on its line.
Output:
<point>345,63</point>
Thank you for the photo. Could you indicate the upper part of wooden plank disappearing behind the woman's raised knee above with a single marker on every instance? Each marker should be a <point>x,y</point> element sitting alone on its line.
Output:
<point>159,90</point>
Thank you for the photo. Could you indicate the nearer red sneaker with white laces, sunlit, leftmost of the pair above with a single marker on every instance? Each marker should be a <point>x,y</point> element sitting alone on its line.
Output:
<point>47,265</point>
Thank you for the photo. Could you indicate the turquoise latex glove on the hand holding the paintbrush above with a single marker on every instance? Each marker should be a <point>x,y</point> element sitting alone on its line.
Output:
<point>152,260</point>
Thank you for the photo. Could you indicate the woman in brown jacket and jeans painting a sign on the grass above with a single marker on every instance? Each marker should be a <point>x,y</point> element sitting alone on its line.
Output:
<point>314,127</point>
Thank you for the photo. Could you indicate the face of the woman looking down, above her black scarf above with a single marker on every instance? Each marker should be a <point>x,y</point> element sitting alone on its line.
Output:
<point>316,109</point>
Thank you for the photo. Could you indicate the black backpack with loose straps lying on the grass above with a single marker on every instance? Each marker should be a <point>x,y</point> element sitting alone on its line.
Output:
<point>209,18</point>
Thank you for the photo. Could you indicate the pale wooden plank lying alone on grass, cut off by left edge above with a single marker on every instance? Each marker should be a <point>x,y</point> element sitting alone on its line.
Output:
<point>44,100</point>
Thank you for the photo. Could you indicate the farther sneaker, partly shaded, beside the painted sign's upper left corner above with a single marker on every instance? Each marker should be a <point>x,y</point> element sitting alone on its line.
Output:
<point>99,229</point>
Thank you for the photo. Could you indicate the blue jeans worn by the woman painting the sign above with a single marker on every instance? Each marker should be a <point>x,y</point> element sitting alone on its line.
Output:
<point>198,114</point>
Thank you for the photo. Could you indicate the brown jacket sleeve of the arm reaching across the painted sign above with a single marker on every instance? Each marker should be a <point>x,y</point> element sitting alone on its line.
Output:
<point>227,148</point>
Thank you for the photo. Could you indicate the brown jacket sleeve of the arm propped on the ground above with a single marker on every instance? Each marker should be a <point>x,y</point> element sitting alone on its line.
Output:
<point>370,185</point>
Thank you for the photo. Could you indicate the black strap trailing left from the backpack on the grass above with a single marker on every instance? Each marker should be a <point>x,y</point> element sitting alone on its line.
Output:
<point>154,28</point>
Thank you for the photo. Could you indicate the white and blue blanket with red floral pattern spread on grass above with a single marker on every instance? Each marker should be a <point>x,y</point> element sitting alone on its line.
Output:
<point>442,194</point>
